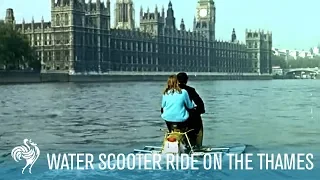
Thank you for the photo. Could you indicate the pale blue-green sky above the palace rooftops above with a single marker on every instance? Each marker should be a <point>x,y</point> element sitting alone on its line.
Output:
<point>293,23</point>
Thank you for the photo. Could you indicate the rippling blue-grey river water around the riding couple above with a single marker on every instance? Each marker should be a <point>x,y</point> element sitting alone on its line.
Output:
<point>269,116</point>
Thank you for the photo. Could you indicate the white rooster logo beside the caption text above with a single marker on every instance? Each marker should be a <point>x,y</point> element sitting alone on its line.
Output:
<point>28,151</point>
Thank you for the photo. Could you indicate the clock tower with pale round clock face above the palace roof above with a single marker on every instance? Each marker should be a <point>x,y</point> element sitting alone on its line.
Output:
<point>205,19</point>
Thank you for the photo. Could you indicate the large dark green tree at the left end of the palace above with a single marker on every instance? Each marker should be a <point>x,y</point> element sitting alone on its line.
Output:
<point>15,51</point>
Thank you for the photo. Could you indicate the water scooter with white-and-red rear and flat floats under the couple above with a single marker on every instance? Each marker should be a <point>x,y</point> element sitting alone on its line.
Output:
<point>177,142</point>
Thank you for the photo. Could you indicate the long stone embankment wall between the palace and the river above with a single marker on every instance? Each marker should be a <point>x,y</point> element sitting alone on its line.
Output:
<point>32,77</point>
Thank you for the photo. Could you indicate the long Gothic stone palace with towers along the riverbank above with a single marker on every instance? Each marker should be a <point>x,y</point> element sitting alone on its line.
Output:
<point>80,38</point>
